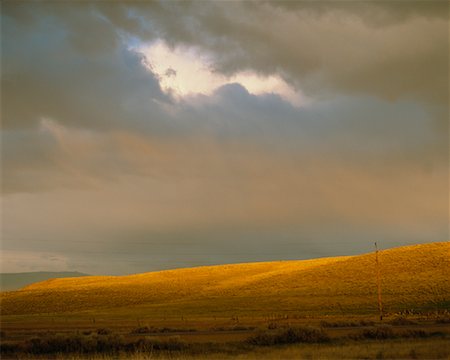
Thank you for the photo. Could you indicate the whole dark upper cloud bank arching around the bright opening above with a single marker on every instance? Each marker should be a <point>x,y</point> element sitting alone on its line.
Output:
<point>69,61</point>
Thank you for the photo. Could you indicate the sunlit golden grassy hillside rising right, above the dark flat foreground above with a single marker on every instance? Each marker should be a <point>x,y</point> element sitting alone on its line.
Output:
<point>412,277</point>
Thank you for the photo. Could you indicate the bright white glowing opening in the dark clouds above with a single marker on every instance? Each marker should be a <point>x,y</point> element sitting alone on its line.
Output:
<point>185,71</point>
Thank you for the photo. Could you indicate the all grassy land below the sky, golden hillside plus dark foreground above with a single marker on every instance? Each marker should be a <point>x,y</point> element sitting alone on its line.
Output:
<point>247,311</point>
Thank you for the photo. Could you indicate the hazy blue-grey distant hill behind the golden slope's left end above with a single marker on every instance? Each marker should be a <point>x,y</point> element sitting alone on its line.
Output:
<point>15,281</point>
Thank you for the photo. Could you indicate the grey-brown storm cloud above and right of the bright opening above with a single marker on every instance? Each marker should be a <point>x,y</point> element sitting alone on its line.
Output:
<point>388,49</point>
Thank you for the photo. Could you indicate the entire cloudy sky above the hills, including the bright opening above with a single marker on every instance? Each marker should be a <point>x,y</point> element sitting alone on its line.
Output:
<point>139,136</point>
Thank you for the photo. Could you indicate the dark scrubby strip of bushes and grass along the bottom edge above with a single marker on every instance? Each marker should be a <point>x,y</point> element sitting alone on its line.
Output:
<point>419,339</point>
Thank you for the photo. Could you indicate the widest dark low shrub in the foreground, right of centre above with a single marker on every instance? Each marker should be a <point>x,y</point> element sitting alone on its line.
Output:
<point>290,335</point>
